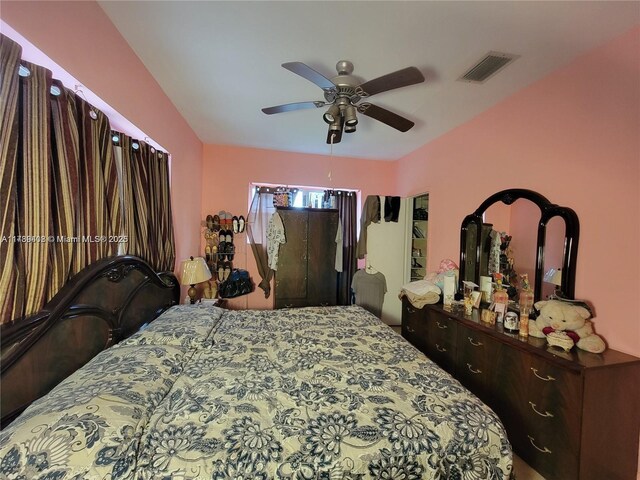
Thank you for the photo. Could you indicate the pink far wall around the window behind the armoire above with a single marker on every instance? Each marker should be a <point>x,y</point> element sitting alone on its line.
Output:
<point>228,172</point>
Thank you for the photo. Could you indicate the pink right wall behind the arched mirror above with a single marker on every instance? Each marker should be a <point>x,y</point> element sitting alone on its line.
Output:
<point>573,137</point>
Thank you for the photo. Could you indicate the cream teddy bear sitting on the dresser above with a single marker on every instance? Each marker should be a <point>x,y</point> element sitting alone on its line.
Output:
<point>573,320</point>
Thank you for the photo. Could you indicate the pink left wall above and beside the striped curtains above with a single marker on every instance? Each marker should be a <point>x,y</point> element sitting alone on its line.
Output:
<point>80,38</point>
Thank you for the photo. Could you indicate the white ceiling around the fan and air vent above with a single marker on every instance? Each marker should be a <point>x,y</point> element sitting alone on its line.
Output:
<point>220,62</point>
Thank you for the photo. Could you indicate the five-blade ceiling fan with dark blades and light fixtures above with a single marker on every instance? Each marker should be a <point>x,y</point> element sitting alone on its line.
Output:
<point>343,94</point>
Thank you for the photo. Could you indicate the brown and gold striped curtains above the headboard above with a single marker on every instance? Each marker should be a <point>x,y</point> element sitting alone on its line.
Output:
<point>60,184</point>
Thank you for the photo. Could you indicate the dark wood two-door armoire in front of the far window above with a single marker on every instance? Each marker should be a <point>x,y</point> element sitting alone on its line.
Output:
<point>306,274</point>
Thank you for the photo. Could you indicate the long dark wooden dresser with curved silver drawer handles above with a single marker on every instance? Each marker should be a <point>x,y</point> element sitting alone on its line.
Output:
<point>569,415</point>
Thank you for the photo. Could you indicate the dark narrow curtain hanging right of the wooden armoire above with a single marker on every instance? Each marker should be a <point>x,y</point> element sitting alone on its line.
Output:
<point>346,203</point>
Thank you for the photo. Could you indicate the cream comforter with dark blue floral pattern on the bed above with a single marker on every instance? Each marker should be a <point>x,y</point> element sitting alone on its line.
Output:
<point>309,393</point>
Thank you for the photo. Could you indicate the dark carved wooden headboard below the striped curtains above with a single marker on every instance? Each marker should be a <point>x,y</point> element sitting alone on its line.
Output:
<point>103,304</point>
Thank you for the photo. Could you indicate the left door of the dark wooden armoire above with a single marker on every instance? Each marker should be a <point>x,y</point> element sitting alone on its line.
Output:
<point>291,276</point>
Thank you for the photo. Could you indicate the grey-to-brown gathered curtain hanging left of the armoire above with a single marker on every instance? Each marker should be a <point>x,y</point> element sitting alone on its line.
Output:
<point>257,220</point>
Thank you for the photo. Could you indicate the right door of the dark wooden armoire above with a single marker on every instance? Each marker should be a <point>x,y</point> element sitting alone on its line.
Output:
<point>322,279</point>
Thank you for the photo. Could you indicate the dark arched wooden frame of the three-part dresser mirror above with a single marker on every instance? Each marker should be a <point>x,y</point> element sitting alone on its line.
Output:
<point>548,210</point>
